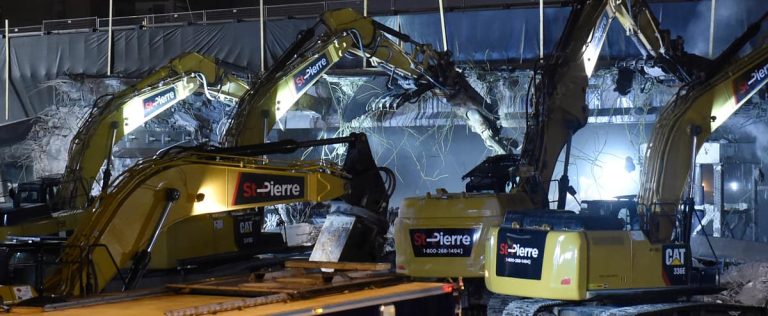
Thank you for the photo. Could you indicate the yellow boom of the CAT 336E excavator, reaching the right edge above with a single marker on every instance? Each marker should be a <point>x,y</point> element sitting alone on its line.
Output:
<point>686,122</point>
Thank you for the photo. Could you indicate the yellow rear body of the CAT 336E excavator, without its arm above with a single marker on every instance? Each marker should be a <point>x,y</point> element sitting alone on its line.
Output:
<point>564,256</point>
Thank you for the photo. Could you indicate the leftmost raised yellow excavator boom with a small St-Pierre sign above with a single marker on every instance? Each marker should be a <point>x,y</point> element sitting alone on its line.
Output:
<point>132,107</point>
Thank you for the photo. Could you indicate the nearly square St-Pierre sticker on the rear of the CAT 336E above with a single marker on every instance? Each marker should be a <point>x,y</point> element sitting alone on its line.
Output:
<point>520,253</point>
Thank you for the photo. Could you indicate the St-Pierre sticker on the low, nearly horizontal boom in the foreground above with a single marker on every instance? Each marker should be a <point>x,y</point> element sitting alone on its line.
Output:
<point>257,188</point>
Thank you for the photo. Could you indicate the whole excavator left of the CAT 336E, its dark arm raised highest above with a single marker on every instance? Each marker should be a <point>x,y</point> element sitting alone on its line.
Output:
<point>559,111</point>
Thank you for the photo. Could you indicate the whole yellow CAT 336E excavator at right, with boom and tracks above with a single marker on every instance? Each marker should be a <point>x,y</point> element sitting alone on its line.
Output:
<point>591,264</point>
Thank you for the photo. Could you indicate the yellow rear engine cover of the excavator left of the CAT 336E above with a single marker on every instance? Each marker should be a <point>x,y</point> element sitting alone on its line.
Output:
<point>442,235</point>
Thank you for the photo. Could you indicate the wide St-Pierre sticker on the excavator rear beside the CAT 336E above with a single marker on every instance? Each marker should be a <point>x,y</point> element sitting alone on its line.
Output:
<point>443,242</point>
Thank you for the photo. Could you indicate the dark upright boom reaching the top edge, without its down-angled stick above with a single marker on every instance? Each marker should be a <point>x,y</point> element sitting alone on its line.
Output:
<point>559,104</point>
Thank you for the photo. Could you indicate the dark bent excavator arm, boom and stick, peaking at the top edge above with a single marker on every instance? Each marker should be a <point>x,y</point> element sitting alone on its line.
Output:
<point>560,95</point>
